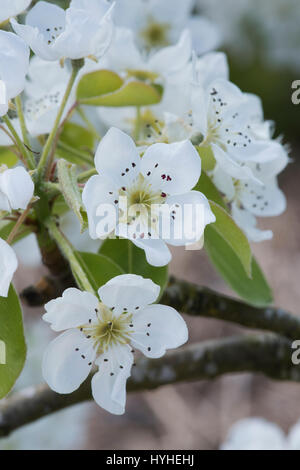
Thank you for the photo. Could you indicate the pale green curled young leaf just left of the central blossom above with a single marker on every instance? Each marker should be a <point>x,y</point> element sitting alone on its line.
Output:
<point>67,177</point>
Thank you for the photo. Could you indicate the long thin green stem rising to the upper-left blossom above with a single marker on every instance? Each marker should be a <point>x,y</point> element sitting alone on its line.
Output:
<point>44,157</point>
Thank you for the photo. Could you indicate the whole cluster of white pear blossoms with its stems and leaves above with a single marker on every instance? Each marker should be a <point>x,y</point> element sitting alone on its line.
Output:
<point>148,81</point>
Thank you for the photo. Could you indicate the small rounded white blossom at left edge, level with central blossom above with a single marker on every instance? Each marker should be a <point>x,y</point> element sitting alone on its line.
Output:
<point>16,188</point>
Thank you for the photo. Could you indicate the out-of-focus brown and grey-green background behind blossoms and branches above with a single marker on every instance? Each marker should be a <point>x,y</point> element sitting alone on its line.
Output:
<point>262,40</point>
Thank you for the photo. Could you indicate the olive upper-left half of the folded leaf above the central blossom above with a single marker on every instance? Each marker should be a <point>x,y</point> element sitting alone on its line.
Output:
<point>98,83</point>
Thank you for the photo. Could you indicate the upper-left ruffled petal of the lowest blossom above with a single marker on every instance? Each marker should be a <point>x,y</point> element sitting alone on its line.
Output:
<point>73,309</point>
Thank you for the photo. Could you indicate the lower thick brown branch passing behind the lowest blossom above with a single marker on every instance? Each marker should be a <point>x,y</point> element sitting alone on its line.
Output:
<point>265,353</point>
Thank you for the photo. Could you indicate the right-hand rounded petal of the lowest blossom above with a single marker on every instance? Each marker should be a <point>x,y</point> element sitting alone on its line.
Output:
<point>158,328</point>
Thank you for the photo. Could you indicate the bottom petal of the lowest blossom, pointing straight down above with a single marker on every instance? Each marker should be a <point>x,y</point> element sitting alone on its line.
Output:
<point>109,383</point>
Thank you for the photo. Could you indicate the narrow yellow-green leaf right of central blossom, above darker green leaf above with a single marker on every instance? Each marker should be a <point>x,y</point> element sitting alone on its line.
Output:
<point>233,235</point>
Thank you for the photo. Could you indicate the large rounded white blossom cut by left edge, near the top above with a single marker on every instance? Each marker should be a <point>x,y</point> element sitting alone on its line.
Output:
<point>14,62</point>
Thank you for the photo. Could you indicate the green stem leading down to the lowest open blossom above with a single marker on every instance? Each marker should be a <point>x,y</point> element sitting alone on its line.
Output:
<point>69,252</point>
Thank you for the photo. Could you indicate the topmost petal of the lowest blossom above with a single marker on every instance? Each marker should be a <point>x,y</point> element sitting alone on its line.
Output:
<point>128,293</point>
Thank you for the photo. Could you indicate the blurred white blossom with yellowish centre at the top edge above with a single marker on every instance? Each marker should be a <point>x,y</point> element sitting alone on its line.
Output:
<point>158,24</point>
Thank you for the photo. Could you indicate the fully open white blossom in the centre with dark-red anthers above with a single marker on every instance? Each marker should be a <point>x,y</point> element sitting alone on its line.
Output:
<point>156,188</point>
